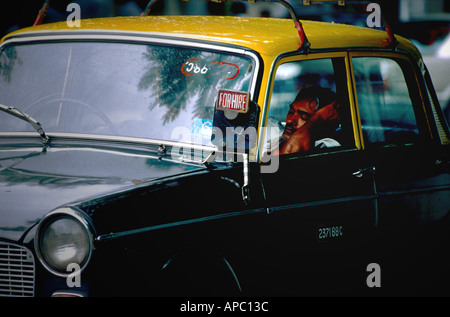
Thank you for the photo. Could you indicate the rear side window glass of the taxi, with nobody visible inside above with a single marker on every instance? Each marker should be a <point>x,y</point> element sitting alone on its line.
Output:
<point>384,100</point>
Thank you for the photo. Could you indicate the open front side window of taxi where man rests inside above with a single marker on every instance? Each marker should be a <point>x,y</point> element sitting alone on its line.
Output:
<point>323,80</point>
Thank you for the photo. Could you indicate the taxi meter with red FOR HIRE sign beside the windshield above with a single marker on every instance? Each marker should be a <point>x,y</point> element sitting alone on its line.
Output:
<point>235,124</point>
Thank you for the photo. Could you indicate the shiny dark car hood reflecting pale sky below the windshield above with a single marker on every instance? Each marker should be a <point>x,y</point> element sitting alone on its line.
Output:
<point>33,182</point>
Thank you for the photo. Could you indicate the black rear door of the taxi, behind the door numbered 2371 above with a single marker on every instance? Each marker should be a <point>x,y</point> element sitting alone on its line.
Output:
<point>412,178</point>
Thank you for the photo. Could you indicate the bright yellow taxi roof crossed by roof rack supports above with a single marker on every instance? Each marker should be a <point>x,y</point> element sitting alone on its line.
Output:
<point>268,36</point>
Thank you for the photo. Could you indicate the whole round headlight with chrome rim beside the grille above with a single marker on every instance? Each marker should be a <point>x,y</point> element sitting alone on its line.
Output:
<point>64,237</point>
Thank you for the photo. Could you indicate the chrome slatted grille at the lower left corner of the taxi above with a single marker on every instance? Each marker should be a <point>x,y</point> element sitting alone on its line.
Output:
<point>17,271</point>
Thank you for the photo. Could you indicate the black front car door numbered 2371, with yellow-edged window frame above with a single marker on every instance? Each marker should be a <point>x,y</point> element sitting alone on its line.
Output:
<point>321,205</point>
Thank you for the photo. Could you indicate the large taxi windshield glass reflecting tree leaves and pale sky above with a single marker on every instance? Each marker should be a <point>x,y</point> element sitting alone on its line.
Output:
<point>138,90</point>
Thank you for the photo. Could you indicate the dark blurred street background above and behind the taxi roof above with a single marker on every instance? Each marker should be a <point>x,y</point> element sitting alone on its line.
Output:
<point>425,22</point>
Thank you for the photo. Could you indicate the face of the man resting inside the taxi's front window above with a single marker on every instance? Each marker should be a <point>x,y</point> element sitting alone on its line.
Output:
<point>300,111</point>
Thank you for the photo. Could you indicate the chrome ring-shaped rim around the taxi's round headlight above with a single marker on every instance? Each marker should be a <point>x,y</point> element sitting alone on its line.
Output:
<point>60,213</point>
